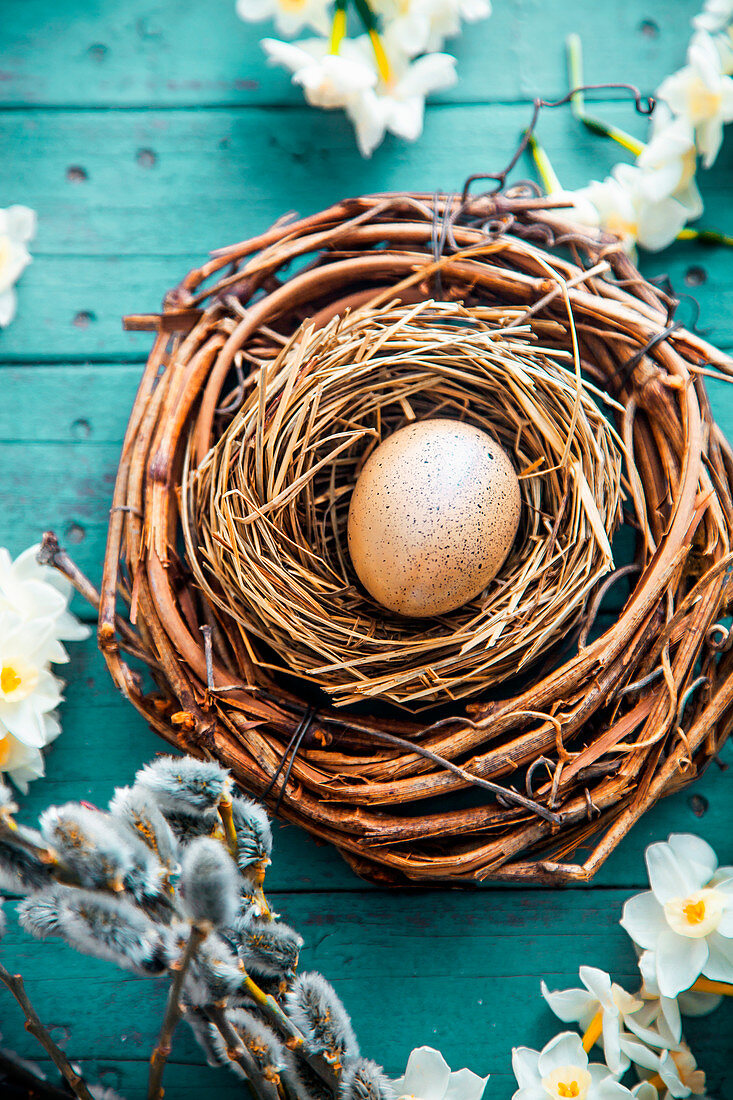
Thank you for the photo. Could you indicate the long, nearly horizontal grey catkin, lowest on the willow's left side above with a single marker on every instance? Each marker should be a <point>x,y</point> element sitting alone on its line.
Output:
<point>102,926</point>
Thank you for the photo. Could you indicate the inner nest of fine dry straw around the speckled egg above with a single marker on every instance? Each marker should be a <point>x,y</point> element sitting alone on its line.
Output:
<point>265,514</point>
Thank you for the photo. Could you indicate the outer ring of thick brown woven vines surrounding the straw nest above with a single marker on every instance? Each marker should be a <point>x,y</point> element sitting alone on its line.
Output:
<point>636,714</point>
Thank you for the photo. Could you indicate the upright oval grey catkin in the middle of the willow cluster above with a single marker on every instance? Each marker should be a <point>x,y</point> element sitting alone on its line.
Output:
<point>210,883</point>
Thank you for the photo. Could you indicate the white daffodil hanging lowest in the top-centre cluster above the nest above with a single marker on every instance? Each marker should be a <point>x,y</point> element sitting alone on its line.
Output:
<point>398,106</point>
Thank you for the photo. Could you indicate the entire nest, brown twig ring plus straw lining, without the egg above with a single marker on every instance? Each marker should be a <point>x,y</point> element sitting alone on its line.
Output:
<point>227,537</point>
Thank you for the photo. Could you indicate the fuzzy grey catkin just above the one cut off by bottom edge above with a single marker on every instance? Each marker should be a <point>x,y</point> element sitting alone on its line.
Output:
<point>315,1008</point>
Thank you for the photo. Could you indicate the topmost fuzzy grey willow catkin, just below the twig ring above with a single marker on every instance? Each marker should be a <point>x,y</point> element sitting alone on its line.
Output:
<point>185,786</point>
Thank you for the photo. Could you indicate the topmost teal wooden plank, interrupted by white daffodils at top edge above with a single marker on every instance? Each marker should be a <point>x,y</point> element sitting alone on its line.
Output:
<point>202,54</point>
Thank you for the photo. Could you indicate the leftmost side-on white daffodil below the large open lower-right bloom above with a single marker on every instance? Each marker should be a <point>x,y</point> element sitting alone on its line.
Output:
<point>600,1009</point>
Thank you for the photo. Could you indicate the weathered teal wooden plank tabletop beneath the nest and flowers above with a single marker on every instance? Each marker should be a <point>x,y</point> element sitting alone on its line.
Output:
<point>146,133</point>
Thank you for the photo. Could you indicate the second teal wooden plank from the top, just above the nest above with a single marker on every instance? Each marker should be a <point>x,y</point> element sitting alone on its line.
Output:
<point>221,175</point>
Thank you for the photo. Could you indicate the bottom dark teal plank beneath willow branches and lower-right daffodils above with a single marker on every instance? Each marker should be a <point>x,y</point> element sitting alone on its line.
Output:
<point>457,972</point>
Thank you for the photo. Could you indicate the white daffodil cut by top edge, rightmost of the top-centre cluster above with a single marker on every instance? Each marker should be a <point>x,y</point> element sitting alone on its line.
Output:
<point>423,26</point>
